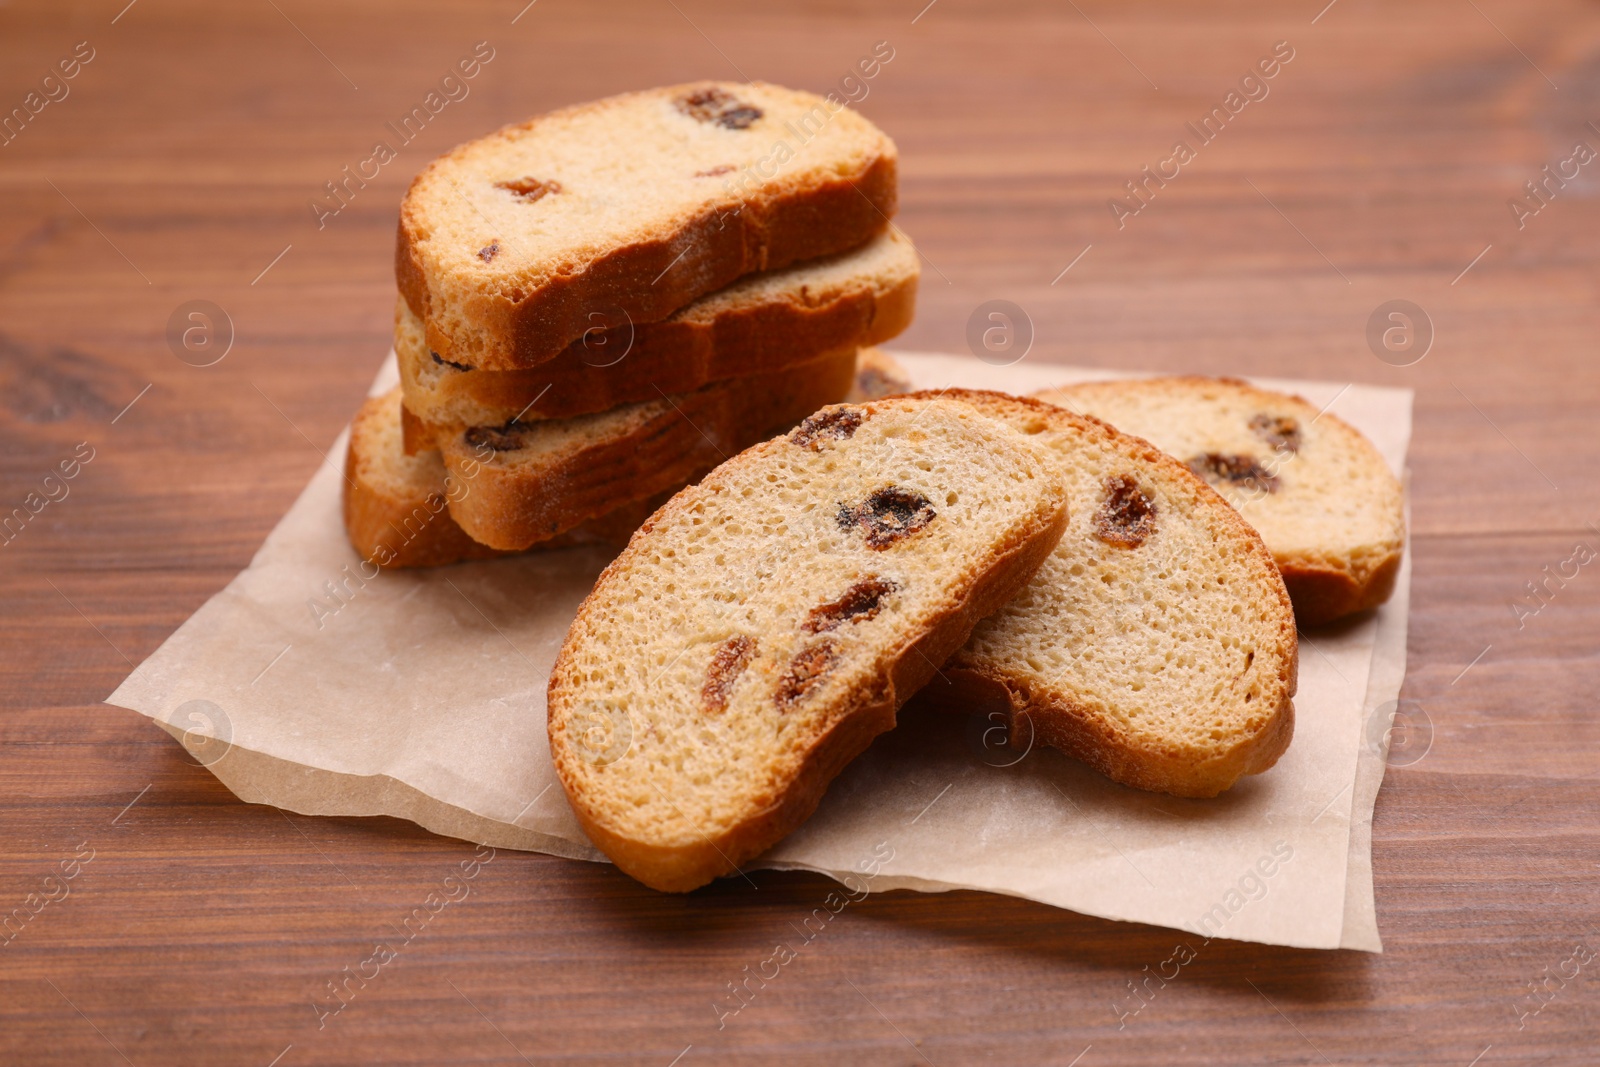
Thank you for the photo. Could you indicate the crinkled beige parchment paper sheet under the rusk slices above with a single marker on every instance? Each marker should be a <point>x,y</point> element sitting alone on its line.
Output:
<point>422,695</point>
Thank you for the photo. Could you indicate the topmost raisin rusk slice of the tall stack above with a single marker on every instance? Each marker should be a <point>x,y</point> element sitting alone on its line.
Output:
<point>639,204</point>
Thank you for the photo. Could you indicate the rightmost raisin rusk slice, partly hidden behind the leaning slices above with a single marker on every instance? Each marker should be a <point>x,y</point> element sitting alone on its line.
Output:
<point>1321,495</point>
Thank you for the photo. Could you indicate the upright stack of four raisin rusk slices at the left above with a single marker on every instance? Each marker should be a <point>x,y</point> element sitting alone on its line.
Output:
<point>602,305</point>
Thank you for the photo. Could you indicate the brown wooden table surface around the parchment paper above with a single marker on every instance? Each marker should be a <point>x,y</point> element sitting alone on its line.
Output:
<point>180,164</point>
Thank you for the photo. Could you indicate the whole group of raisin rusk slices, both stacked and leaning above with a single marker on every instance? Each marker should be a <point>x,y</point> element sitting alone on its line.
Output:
<point>636,321</point>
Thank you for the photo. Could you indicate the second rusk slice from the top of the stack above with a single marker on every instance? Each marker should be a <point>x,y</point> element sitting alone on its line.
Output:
<point>764,322</point>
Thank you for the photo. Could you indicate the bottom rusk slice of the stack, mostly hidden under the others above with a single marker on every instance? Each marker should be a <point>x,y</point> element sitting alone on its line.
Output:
<point>396,506</point>
